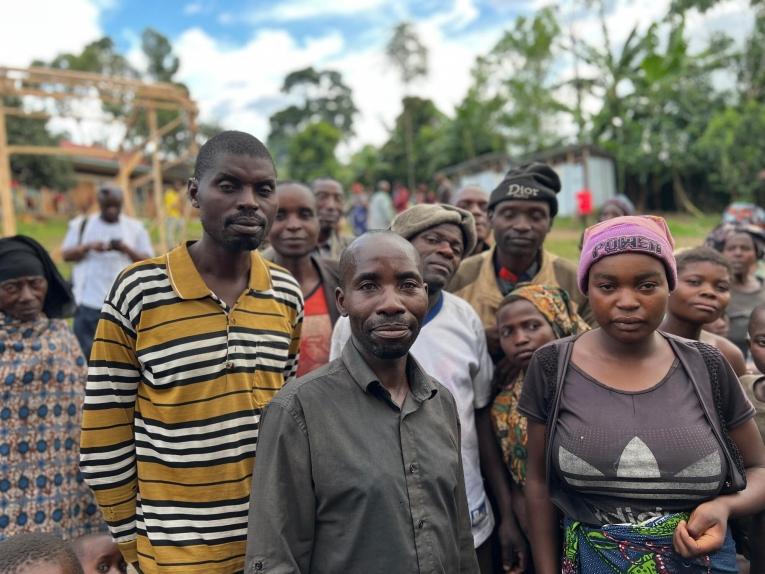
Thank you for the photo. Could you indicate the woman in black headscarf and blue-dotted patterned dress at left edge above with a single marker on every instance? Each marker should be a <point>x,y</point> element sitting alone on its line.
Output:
<point>42,381</point>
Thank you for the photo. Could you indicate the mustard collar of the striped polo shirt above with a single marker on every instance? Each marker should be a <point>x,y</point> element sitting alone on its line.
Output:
<point>188,283</point>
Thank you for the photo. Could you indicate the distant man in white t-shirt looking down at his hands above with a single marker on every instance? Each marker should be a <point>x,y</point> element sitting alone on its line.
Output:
<point>101,245</point>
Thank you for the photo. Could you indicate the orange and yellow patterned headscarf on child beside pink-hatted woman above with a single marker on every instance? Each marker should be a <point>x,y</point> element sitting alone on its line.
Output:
<point>554,304</point>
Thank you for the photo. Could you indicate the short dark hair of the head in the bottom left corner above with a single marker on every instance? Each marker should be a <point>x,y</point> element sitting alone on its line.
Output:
<point>30,549</point>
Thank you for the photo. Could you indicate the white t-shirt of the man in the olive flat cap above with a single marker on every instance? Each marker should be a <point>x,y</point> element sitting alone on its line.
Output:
<point>451,348</point>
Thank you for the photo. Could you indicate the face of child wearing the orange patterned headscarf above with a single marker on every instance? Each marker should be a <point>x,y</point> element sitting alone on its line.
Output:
<point>522,330</point>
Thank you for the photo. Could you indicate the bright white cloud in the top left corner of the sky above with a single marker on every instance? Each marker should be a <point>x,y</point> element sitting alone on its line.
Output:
<point>42,29</point>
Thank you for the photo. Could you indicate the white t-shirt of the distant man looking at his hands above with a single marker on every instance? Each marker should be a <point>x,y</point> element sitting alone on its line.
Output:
<point>93,276</point>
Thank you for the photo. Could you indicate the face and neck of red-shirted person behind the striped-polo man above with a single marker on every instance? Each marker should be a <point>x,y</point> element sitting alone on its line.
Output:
<point>294,234</point>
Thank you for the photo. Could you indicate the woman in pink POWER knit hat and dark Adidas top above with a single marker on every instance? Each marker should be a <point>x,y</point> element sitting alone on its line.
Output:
<point>644,441</point>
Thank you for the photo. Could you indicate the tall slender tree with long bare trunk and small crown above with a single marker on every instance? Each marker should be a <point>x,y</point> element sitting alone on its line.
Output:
<point>410,56</point>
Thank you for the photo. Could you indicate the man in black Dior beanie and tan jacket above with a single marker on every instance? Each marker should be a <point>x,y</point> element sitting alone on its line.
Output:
<point>521,211</point>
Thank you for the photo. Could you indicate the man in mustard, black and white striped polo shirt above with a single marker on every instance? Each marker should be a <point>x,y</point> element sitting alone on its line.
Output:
<point>189,349</point>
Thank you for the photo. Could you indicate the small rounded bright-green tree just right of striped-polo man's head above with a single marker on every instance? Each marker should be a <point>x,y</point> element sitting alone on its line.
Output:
<point>311,152</point>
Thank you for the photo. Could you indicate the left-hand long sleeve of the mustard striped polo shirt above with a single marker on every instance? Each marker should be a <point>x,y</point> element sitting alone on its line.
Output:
<point>107,443</point>
